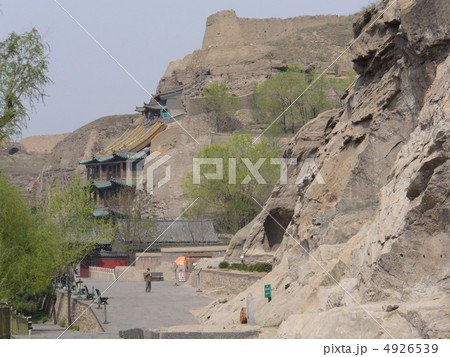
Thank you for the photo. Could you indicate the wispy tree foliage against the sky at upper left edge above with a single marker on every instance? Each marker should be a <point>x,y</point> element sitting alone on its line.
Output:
<point>23,77</point>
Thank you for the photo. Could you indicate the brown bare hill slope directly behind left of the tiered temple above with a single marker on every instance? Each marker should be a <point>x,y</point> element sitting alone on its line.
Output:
<point>62,161</point>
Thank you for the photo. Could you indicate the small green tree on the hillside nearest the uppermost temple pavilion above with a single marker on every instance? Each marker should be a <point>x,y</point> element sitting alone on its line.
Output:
<point>220,106</point>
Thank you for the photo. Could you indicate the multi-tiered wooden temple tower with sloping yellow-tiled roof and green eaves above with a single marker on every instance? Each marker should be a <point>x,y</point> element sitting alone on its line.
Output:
<point>107,170</point>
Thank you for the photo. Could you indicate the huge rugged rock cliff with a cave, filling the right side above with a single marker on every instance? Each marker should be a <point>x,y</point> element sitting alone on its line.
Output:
<point>377,233</point>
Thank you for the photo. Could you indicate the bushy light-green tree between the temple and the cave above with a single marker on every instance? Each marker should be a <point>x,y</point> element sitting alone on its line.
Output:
<point>229,201</point>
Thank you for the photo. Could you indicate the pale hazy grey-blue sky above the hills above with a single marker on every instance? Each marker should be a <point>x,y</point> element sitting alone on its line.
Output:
<point>142,36</point>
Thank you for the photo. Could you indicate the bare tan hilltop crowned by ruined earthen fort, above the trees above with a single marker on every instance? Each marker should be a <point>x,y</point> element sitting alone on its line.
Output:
<point>244,52</point>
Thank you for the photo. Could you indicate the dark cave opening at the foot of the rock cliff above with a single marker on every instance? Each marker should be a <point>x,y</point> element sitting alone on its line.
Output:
<point>274,228</point>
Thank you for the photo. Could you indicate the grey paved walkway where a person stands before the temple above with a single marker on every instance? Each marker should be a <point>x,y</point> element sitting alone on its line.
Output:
<point>129,306</point>
